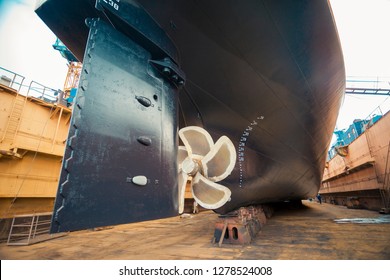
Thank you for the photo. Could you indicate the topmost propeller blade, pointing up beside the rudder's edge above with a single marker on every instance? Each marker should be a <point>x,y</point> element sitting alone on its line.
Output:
<point>197,141</point>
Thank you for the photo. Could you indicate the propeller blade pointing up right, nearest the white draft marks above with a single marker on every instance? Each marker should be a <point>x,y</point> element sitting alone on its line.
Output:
<point>220,161</point>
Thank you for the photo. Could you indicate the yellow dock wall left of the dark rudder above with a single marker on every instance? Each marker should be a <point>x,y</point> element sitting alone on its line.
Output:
<point>33,134</point>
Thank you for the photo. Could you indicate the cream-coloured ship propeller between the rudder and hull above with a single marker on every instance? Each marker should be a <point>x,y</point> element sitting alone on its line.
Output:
<point>202,163</point>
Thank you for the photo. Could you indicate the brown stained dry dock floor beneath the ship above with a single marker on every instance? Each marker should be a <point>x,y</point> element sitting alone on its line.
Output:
<point>305,234</point>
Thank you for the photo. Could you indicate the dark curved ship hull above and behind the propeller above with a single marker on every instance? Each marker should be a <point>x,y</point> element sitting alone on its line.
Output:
<point>267,74</point>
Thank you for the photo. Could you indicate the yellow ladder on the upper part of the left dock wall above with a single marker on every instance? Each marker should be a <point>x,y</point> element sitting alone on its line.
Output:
<point>14,119</point>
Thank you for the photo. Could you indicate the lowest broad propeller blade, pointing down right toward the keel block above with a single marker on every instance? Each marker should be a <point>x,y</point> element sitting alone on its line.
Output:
<point>208,194</point>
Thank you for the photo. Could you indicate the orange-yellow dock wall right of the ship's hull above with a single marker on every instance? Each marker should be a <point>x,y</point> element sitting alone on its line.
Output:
<point>363,174</point>
